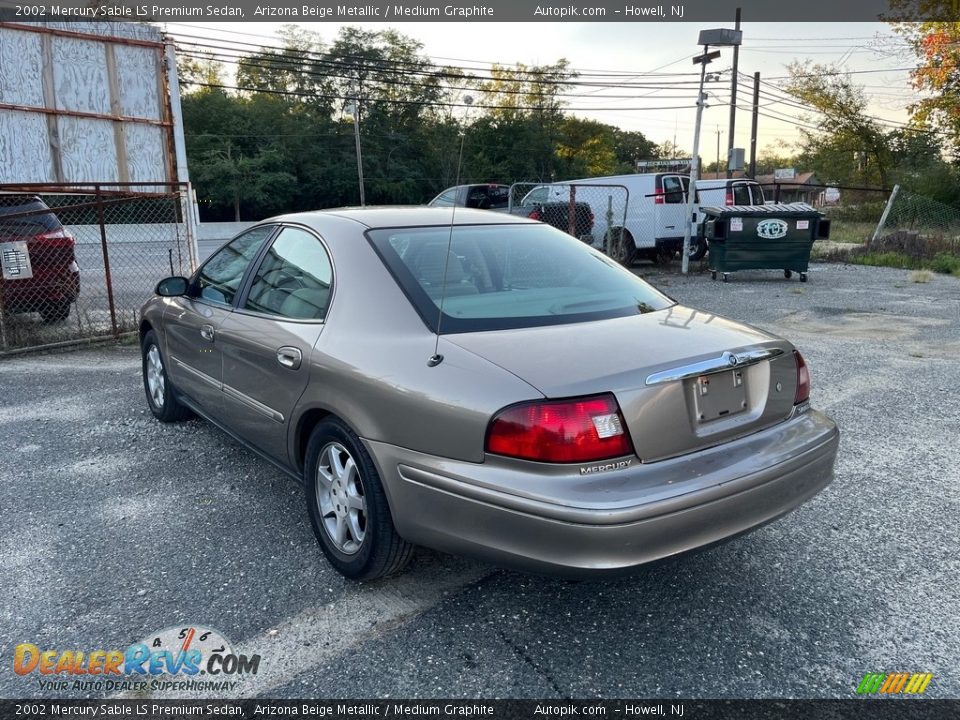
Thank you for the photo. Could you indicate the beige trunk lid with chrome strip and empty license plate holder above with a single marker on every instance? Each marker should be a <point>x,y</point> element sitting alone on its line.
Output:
<point>684,379</point>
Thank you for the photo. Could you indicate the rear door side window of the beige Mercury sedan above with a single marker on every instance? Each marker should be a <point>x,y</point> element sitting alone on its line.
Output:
<point>294,278</point>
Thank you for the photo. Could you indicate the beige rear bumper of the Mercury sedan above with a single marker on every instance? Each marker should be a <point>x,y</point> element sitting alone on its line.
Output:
<point>435,503</point>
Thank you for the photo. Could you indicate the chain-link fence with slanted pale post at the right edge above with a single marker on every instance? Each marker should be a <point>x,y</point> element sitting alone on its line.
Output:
<point>918,227</point>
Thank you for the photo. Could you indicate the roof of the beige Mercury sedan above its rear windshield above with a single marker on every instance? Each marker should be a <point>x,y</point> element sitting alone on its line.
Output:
<point>407,216</point>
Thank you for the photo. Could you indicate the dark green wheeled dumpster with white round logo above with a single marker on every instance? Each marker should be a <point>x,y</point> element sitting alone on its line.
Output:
<point>762,237</point>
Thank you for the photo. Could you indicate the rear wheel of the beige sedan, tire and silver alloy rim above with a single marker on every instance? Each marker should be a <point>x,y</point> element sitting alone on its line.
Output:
<point>348,507</point>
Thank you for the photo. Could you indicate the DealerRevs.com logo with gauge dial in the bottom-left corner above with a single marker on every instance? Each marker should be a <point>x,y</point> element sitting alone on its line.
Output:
<point>172,659</point>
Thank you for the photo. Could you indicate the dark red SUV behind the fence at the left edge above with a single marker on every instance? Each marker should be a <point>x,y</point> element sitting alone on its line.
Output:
<point>55,281</point>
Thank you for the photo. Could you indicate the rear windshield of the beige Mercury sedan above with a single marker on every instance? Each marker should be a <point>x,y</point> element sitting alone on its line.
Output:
<point>498,277</point>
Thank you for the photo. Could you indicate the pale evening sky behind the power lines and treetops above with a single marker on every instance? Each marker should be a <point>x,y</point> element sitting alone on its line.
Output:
<point>872,51</point>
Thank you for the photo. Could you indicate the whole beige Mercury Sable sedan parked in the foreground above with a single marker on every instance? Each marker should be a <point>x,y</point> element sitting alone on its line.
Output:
<point>485,385</point>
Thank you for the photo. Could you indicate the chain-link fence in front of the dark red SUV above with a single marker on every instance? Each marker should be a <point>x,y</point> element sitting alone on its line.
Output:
<point>79,261</point>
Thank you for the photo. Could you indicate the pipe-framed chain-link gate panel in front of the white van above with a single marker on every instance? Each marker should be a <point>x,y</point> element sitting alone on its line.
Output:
<point>594,213</point>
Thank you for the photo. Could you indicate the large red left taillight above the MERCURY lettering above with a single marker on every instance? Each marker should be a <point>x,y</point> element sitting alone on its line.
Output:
<point>561,431</point>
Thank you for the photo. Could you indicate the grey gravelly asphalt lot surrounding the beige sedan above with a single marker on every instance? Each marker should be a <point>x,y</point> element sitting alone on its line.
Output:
<point>113,526</point>
